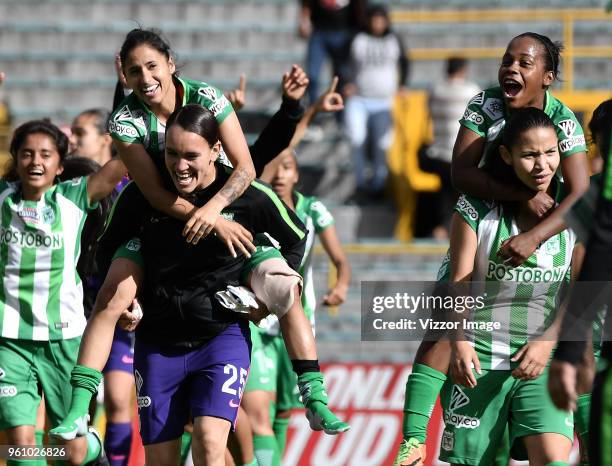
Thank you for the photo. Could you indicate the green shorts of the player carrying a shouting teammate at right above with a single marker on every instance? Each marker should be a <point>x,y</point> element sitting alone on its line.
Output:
<point>475,419</point>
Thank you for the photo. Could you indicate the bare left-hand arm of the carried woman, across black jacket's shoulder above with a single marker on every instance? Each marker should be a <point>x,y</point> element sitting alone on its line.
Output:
<point>149,181</point>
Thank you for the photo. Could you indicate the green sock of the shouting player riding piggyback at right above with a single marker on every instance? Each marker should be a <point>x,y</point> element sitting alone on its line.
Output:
<point>422,391</point>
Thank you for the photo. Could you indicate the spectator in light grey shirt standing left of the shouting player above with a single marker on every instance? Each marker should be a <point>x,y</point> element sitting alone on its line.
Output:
<point>447,102</point>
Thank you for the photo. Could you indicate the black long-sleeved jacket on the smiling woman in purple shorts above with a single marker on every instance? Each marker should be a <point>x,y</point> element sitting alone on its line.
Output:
<point>181,279</point>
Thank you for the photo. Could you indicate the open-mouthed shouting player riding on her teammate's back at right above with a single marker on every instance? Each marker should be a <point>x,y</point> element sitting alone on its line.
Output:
<point>528,68</point>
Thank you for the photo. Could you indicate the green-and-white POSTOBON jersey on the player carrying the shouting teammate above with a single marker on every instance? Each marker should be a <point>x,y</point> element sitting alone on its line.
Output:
<point>524,299</point>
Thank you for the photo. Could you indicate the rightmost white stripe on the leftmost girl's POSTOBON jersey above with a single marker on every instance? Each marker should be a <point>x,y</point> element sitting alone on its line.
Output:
<point>71,293</point>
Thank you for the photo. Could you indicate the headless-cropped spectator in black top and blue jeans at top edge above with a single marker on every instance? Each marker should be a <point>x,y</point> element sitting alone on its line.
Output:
<point>328,25</point>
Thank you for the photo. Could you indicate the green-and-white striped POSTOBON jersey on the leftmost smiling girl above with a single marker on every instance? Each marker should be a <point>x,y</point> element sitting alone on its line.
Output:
<point>41,295</point>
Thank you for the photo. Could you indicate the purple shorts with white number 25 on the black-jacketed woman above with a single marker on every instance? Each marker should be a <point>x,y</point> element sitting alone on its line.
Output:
<point>175,385</point>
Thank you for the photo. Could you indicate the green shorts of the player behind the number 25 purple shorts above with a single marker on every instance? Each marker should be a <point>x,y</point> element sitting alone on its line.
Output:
<point>271,370</point>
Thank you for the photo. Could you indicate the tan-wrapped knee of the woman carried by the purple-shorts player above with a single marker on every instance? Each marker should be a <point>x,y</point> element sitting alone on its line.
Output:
<point>275,284</point>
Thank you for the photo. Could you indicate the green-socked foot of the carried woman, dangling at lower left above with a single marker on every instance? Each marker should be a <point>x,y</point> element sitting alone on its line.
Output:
<point>84,381</point>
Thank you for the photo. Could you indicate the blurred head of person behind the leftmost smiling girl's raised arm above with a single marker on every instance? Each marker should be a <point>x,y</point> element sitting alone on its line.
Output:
<point>89,136</point>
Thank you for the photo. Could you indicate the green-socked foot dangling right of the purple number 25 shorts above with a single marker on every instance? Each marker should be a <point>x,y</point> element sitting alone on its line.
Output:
<point>314,397</point>
